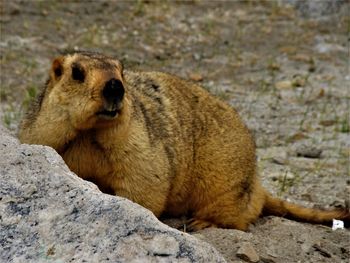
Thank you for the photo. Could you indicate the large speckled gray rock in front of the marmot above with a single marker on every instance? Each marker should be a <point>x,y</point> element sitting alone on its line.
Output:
<point>47,213</point>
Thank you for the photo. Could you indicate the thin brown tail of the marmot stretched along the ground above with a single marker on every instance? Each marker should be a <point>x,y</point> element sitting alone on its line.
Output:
<point>278,207</point>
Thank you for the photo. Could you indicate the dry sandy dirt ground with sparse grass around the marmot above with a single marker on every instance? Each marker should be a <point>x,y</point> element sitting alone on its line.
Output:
<point>284,65</point>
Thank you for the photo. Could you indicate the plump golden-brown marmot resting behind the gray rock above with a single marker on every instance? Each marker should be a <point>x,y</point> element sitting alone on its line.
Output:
<point>160,141</point>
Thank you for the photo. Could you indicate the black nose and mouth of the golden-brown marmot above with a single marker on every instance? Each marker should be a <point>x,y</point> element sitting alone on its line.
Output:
<point>113,94</point>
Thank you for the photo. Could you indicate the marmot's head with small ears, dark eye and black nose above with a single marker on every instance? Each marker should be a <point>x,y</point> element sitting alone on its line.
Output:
<point>89,87</point>
